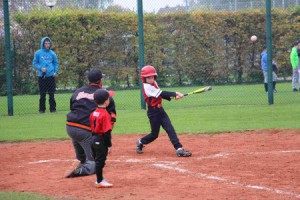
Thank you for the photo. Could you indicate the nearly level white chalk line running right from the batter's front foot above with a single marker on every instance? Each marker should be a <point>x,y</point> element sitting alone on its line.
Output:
<point>227,154</point>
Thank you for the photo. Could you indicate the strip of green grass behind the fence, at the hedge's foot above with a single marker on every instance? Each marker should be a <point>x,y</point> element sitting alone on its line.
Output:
<point>131,99</point>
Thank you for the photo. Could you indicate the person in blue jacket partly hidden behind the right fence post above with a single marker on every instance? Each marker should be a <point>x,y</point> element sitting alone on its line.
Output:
<point>264,67</point>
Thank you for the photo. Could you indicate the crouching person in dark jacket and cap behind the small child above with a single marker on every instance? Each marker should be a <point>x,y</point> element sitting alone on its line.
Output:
<point>78,127</point>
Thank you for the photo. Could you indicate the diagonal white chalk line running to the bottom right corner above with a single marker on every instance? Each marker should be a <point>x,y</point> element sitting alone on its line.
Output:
<point>220,179</point>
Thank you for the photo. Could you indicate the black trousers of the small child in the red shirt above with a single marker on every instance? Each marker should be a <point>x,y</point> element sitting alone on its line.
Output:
<point>100,151</point>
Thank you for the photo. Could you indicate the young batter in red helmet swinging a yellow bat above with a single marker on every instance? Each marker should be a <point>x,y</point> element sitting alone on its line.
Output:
<point>156,114</point>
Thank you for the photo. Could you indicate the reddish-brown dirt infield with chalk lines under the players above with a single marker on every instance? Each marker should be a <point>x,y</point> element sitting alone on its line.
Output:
<point>250,165</point>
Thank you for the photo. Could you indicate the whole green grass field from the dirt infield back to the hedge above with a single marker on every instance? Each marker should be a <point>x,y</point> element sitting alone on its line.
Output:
<point>224,109</point>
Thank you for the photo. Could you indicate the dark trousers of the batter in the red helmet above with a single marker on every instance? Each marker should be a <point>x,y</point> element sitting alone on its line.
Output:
<point>158,117</point>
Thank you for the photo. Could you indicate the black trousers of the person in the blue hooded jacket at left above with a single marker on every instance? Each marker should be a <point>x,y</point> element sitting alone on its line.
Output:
<point>47,85</point>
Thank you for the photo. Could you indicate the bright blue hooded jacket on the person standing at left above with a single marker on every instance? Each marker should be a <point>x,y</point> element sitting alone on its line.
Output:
<point>45,58</point>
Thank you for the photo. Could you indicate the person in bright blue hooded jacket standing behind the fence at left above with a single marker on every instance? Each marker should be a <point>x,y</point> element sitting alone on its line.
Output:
<point>46,62</point>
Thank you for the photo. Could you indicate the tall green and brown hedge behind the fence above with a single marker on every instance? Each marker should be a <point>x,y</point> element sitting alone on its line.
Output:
<point>186,47</point>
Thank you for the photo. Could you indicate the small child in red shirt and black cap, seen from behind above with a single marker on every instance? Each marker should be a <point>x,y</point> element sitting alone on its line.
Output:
<point>100,121</point>
